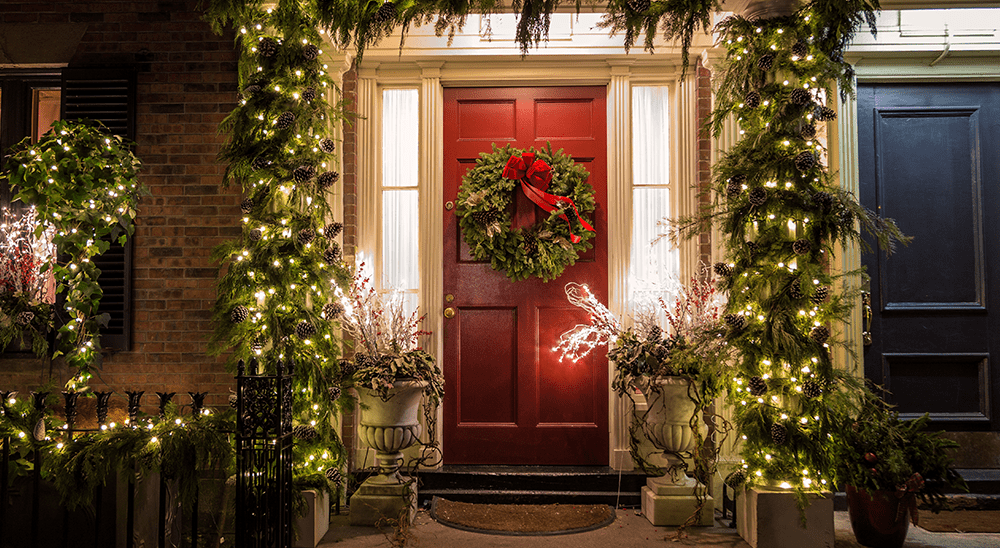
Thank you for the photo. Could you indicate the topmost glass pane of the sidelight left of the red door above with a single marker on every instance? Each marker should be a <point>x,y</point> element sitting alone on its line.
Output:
<point>400,128</point>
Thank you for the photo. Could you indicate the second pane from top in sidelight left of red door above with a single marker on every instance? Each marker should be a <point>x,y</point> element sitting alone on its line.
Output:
<point>400,226</point>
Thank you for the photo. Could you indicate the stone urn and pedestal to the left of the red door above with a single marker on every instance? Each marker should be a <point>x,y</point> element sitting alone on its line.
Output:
<point>389,427</point>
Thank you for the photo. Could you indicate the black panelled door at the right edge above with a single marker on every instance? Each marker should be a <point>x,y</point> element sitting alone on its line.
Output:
<point>929,157</point>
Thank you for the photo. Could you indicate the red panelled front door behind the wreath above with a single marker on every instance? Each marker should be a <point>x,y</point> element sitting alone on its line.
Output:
<point>510,400</point>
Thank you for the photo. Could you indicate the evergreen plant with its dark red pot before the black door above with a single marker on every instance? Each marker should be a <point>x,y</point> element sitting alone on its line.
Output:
<point>887,465</point>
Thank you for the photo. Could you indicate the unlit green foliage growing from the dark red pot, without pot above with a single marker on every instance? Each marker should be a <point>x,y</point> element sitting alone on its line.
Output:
<point>880,452</point>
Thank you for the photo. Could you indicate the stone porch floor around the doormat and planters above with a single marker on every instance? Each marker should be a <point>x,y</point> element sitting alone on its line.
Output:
<point>629,529</point>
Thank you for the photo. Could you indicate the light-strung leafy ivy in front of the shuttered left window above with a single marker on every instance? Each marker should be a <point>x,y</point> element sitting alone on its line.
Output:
<point>83,185</point>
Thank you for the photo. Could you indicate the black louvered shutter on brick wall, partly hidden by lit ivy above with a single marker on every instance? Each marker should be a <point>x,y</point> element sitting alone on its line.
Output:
<point>107,95</point>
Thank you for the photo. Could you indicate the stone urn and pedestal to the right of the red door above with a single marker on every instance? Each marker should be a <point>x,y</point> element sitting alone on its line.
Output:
<point>672,498</point>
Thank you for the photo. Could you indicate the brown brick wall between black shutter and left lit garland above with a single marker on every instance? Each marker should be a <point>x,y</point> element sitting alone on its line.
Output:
<point>186,85</point>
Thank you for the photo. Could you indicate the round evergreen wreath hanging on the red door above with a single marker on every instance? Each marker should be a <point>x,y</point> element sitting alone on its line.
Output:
<point>544,249</point>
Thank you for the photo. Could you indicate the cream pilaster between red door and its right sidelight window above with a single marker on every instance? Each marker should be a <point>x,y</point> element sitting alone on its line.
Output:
<point>619,237</point>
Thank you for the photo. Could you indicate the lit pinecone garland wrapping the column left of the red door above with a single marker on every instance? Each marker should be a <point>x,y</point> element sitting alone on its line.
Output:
<point>276,296</point>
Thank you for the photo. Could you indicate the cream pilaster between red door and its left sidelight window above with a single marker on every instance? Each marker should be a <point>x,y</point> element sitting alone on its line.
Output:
<point>431,208</point>
